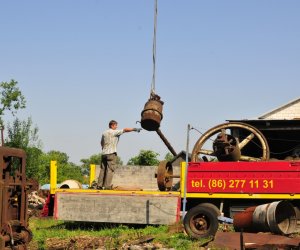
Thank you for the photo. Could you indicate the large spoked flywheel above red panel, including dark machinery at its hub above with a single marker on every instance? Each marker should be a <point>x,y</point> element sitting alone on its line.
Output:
<point>228,146</point>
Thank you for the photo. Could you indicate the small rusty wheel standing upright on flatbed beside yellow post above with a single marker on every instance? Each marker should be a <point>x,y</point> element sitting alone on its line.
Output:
<point>165,176</point>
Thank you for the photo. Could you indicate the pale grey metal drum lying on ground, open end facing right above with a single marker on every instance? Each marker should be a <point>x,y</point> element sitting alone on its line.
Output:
<point>276,217</point>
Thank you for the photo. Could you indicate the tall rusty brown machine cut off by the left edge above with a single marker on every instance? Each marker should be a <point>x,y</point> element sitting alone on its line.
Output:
<point>14,190</point>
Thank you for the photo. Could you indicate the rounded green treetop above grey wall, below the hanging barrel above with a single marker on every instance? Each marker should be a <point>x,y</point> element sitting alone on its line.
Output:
<point>145,158</point>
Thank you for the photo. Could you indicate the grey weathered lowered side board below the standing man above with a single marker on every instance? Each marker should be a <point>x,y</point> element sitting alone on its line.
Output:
<point>117,208</point>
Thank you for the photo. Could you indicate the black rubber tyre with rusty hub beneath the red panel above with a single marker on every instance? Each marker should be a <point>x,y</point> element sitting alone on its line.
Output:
<point>201,221</point>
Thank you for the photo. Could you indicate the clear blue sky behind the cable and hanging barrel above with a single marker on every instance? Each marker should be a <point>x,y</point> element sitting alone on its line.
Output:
<point>82,63</point>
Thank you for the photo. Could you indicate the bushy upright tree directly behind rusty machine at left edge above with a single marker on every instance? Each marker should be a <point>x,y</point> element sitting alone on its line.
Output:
<point>22,134</point>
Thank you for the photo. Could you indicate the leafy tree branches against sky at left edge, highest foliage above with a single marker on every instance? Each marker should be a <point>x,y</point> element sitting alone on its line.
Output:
<point>11,98</point>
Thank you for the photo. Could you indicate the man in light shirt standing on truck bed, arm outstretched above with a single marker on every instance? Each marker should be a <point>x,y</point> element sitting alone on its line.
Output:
<point>109,141</point>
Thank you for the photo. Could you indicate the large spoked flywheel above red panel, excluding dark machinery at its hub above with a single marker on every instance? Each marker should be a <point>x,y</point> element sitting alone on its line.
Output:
<point>250,137</point>
